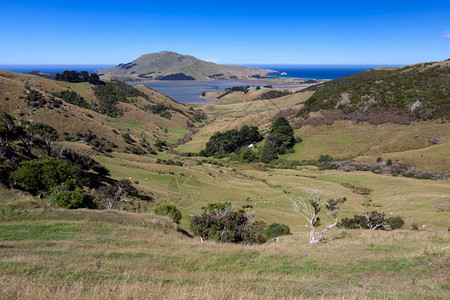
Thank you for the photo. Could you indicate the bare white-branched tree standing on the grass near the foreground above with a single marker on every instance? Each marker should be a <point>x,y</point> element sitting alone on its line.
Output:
<point>310,207</point>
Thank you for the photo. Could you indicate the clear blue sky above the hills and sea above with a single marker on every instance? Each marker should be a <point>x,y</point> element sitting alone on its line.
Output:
<point>244,32</point>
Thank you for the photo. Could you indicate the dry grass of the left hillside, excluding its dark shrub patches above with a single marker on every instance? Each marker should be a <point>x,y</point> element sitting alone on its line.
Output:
<point>73,119</point>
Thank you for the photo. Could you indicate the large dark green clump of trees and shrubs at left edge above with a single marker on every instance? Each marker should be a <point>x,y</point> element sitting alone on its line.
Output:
<point>63,177</point>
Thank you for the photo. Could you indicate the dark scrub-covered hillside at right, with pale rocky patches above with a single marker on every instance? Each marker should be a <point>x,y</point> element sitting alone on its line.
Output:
<point>421,91</point>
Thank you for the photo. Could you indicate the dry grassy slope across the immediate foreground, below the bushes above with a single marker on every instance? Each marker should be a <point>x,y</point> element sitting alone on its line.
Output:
<point>98,255</point>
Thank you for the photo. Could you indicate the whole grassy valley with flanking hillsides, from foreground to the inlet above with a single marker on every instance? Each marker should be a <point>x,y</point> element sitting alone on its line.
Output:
<point>154,143</point>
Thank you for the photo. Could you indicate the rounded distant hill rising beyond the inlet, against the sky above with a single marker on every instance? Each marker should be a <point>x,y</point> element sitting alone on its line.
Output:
<point>168,65</point>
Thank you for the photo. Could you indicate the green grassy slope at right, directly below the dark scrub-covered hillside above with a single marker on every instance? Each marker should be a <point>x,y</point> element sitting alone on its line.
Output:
<point>401,143</point>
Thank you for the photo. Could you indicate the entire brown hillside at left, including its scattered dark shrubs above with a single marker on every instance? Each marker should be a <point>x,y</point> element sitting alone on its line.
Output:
<point>108,113</point>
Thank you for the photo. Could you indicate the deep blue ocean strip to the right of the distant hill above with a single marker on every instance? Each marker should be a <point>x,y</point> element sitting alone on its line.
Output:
<point>318,71</point>
